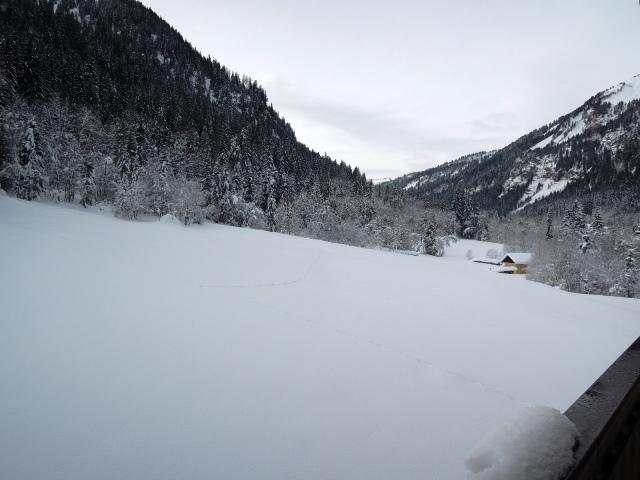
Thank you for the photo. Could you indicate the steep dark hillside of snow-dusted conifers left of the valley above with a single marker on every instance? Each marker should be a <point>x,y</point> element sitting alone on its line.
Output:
<point>102,101</point>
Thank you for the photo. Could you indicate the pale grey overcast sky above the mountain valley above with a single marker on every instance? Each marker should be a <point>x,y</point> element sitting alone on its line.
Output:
<point>398,86</point>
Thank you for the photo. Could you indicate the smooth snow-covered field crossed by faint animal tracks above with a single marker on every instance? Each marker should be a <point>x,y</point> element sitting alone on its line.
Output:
<point>153,351</point>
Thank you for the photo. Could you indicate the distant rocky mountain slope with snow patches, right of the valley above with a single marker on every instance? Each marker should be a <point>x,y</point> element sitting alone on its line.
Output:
<point>595,148</point>
